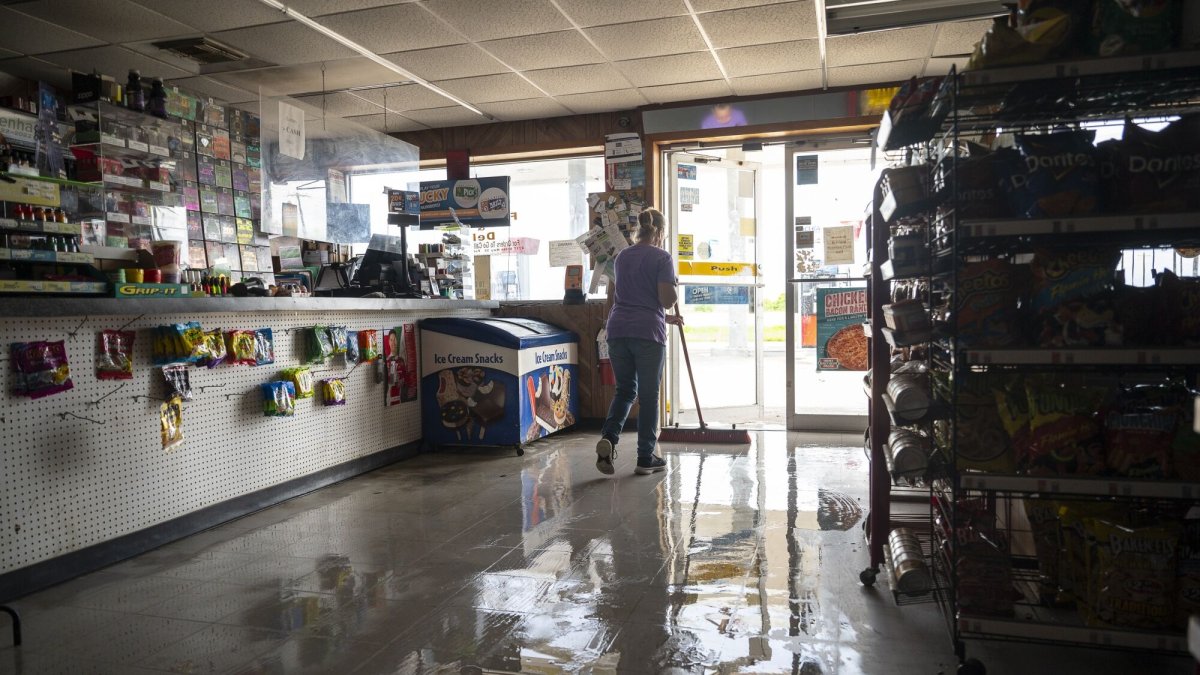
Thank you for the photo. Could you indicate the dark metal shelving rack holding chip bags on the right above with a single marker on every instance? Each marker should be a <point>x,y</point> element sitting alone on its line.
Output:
<point>1033,98</point>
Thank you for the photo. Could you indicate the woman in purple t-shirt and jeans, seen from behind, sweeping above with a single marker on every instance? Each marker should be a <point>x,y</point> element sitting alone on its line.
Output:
<point>646,286</point>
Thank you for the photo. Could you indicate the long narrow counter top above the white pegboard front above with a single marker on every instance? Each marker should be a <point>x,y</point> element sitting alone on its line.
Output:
<point>86,307</point>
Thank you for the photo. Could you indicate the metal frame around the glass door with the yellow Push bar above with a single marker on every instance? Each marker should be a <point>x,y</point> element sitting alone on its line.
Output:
<point>675,355</point>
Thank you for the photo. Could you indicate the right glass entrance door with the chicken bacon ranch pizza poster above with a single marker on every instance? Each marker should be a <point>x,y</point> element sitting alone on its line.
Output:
<point>829,189</point>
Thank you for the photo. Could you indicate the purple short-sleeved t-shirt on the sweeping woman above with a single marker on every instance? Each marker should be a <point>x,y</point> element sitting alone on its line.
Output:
<point>637,312</point>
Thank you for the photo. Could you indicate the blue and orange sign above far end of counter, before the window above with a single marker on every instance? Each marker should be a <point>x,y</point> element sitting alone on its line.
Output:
<point>481,202</point>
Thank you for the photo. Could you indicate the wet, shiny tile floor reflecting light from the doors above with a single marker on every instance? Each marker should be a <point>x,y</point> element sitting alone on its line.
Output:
<point>734,560</point>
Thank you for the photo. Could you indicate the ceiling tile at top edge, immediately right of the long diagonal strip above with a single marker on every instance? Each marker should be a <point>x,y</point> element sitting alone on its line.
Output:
<point>395,28</point>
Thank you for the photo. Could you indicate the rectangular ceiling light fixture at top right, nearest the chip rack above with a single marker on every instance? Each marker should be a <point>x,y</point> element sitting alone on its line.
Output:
<point>850,17</point>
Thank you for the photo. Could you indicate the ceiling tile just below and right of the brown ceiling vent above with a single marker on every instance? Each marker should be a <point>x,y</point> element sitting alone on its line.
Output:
<point>343,74</point>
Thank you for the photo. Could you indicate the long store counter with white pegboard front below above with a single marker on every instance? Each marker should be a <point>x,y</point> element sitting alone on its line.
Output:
<point>93,480</point>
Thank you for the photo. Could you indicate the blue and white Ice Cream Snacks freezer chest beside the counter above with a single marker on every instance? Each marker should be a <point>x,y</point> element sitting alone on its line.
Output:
<point>496,381</point>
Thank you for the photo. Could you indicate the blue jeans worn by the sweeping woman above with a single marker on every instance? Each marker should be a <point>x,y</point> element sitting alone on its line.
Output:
<point>638,366</point>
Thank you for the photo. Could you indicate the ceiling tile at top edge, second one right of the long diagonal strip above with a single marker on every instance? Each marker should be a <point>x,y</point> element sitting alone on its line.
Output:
<point>500,19</point>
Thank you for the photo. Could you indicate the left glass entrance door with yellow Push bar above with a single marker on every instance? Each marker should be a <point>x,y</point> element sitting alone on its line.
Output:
<point>715,237</point>
